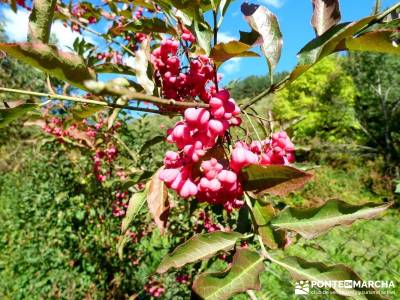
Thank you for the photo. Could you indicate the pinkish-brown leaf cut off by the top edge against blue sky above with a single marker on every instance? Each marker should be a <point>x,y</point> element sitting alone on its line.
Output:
<point>326,14</point>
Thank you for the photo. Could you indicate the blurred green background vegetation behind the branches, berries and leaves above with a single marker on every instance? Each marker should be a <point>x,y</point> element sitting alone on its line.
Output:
<point>58,235</point>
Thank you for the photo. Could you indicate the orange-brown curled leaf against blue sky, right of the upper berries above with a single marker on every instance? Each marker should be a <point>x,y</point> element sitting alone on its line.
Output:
<point>225,51</point>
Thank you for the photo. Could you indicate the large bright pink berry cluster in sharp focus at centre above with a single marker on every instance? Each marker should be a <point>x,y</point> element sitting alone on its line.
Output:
<point>194,136</point>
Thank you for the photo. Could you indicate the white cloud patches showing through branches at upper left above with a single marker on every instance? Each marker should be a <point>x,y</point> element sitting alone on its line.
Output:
<point>16,28</point>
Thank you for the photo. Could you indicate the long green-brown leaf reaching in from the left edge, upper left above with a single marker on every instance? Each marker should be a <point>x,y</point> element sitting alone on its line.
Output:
<point>62,65</point>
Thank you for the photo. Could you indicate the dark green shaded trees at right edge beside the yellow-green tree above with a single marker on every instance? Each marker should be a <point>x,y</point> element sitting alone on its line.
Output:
<point>377,103</point>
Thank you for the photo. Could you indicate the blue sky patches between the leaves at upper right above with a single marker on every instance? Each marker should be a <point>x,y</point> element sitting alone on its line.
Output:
<point>294,18</point>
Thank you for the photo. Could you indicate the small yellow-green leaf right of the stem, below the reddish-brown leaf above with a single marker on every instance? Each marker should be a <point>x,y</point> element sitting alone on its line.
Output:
<point>263,213</point>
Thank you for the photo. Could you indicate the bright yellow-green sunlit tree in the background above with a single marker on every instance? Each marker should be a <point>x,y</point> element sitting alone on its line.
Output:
<point>307,105</point>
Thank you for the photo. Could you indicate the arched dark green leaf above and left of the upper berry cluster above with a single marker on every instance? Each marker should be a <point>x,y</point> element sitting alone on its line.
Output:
<point>145,26</point>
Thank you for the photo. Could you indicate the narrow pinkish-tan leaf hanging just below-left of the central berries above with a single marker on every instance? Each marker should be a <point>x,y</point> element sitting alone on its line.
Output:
<point>157,201</point>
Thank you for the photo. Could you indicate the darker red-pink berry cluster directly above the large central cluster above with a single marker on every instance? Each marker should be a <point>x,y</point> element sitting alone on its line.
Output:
<point>178,82</point>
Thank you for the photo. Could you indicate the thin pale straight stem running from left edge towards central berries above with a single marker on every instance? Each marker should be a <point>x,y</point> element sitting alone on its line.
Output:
<point>80,100</point>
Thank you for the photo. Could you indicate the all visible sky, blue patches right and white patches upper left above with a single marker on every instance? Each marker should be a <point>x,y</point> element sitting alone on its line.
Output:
<point>293,15</point>
